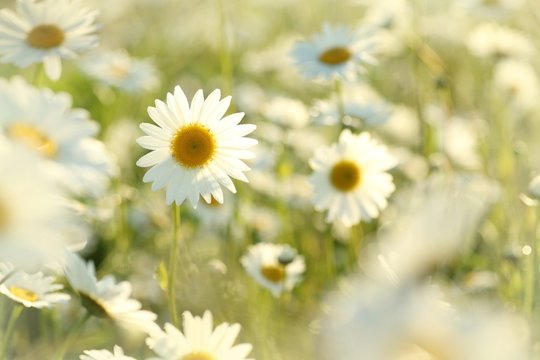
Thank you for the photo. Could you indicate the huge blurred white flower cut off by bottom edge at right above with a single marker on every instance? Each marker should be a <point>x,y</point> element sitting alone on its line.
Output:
<point>382,322</point>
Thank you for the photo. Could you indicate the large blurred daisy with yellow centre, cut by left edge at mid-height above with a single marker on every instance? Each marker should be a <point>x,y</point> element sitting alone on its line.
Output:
<point>63,136</point>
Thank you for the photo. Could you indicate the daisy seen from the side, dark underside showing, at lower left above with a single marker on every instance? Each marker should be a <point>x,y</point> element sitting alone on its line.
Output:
<point>107,298</point>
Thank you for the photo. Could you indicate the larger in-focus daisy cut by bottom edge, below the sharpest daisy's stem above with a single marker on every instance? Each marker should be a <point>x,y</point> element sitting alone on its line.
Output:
<point>200,341</point>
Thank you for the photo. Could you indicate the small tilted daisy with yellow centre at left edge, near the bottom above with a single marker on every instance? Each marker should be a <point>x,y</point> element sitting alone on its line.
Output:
<point>32,290</point>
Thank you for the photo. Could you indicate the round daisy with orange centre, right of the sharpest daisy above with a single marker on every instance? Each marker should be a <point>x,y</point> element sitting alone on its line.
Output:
<point>350,178</point>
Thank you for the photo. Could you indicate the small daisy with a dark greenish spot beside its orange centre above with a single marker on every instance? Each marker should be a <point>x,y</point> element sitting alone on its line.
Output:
<point>274,266</point>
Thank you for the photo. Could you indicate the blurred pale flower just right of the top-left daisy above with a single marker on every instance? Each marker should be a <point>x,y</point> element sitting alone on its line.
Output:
<point>118,69</point>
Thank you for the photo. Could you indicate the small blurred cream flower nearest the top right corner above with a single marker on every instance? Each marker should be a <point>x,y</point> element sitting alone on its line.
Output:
<point>497,41</point>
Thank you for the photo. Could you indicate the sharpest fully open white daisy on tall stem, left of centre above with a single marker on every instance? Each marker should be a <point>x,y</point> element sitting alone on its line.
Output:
<point>194,150</point>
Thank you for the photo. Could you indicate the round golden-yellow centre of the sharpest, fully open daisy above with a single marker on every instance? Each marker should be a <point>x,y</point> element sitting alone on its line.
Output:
<point>193,146</point>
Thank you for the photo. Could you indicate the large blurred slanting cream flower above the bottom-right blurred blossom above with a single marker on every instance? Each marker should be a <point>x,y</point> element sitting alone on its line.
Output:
<point>436,221</point>
